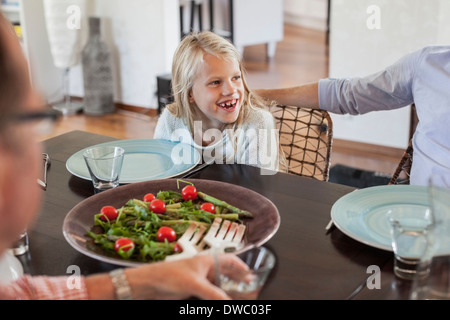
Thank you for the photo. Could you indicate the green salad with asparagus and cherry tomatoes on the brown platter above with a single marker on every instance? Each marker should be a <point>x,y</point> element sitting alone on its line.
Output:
<point>147,229</point>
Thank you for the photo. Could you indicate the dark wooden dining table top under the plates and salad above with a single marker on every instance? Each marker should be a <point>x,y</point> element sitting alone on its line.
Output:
<point>312,263</point>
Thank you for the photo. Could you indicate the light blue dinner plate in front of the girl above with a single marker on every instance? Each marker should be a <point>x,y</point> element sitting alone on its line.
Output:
<point>145,159</point>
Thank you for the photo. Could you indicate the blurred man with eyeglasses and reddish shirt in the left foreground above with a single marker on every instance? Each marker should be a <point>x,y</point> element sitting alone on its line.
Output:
<point>21,164</point>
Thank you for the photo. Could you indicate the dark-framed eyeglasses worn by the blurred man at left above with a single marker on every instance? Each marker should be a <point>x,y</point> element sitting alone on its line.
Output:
<point>42,122</point>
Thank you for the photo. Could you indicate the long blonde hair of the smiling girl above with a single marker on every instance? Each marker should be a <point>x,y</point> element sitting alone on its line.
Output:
<point>186,63</point>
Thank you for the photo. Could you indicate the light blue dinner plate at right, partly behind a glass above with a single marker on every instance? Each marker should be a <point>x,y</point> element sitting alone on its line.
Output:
<point>361,214</point>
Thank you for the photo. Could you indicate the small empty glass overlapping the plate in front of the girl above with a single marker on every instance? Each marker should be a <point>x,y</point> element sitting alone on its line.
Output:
<point>104,164</point>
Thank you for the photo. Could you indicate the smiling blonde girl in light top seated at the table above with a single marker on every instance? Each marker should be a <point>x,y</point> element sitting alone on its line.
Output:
<point>214,110</point>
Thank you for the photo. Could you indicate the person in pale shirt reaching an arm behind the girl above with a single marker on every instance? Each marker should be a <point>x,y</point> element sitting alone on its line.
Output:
<point>421,78</point>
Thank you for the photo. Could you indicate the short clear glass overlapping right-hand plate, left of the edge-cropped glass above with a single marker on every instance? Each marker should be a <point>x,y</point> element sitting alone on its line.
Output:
<point>410,227</point>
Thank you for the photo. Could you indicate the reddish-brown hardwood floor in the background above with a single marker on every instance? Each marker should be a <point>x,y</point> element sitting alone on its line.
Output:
<point>300,58</point>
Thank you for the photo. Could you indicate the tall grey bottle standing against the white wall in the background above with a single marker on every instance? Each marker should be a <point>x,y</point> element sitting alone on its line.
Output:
<point>97,73</point>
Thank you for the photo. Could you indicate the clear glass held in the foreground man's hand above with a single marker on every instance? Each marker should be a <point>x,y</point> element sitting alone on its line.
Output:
<point>245,283</point>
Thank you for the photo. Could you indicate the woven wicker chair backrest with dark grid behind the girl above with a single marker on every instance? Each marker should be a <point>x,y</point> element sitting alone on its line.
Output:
<point>306,137</point>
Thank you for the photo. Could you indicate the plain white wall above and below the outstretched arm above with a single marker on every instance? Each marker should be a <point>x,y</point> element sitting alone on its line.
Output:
<point>357,49</point>
